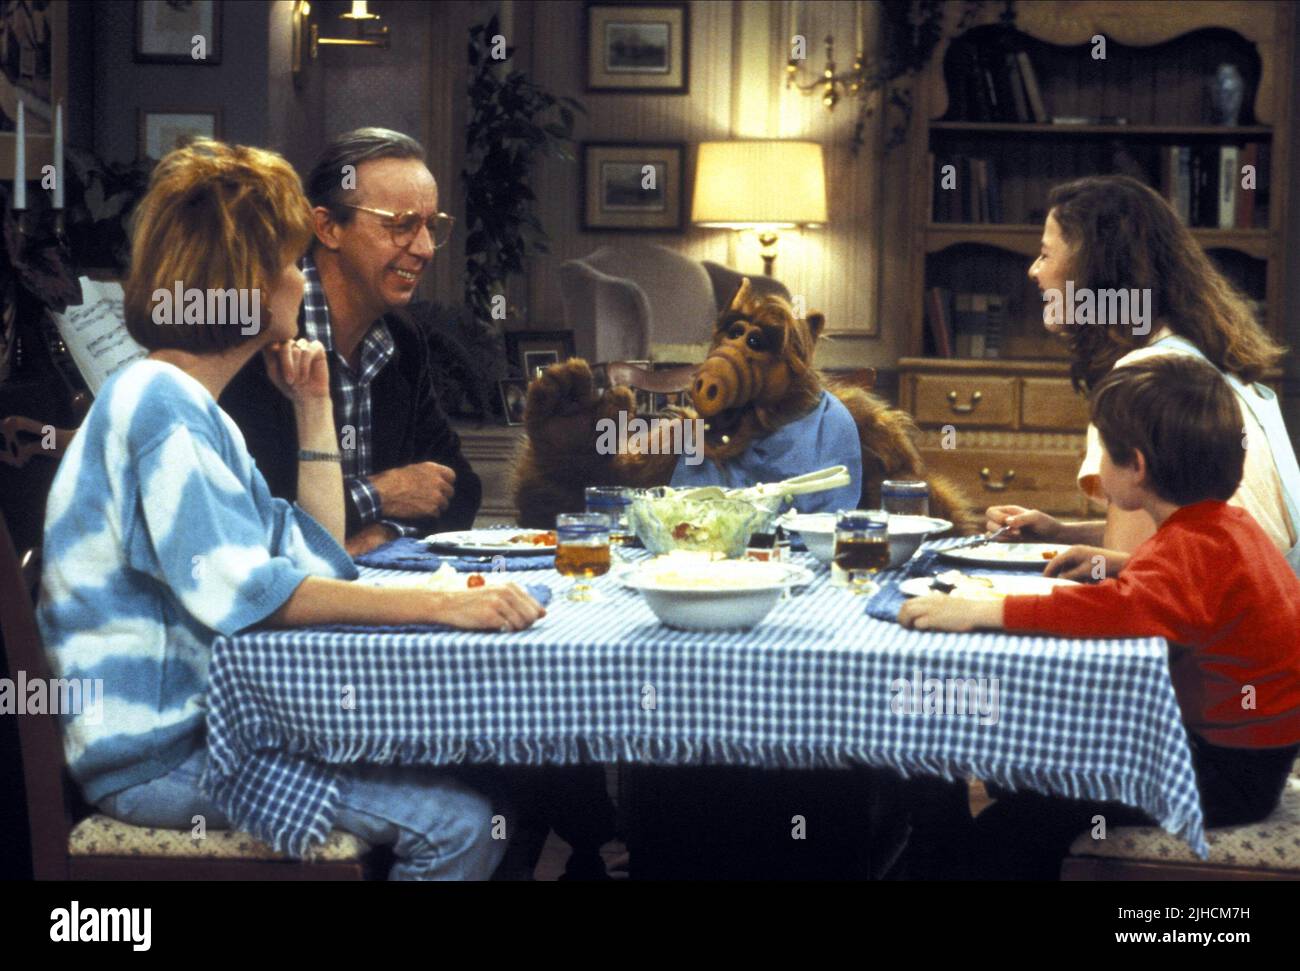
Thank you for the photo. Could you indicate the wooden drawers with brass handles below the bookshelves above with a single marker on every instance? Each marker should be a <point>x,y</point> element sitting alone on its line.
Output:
<point>1007,432</point>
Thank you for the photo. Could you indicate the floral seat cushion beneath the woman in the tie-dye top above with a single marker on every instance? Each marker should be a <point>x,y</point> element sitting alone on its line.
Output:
<point>103,836</point>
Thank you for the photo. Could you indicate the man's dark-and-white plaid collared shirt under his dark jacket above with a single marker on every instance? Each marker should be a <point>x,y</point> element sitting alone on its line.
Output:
<point>378,349</point>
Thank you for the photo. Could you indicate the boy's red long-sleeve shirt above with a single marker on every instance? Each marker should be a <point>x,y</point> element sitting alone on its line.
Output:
<point>1212,584</point>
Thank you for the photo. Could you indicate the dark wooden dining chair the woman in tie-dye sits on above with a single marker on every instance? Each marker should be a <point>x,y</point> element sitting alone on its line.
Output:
<point>71,842</point>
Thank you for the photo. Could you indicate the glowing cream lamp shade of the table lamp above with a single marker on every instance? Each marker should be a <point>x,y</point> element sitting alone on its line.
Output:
<point>760,184</point>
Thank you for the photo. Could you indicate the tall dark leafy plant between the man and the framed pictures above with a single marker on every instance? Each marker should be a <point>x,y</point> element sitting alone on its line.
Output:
<point>513,123</point>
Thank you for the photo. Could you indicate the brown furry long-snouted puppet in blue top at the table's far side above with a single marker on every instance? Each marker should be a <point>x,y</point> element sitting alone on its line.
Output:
<point>768,415</point>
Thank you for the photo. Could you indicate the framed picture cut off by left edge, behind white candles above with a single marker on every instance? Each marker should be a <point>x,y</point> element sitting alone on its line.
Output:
<point>33,71</point>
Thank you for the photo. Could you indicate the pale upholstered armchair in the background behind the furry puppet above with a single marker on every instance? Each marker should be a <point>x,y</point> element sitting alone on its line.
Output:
<point>645,302</point>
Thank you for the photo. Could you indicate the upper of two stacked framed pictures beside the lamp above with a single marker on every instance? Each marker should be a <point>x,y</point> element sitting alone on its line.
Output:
<point>643,49</point>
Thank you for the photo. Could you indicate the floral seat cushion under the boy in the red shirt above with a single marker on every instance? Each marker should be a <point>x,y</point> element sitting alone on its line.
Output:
<point>1273,843</point>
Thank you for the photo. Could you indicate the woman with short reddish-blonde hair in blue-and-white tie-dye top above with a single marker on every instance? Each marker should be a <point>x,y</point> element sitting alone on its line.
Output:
<point>162,534</point>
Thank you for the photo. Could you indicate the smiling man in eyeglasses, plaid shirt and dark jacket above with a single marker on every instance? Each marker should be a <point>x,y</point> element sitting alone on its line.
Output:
<point>378,228</point>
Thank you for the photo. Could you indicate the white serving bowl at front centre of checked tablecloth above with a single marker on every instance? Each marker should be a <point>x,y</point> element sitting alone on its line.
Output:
<point>713,596</point>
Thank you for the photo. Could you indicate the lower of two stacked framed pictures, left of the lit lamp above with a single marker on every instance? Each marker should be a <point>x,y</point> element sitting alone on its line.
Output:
<point>630,187</point>
